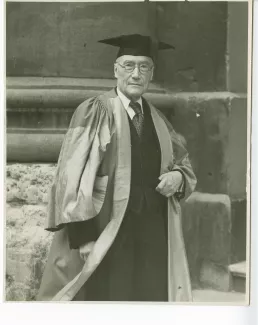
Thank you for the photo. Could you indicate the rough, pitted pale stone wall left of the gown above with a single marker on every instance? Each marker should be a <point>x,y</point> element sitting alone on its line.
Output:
<point>27,243</point>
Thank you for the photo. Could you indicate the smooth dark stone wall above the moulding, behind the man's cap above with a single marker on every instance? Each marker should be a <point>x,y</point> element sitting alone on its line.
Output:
<point>64,40</point>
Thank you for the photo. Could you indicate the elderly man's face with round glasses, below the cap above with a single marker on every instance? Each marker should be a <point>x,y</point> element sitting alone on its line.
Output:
<point>133,83</point>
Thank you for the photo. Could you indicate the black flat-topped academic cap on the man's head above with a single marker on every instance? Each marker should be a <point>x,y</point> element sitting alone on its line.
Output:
<point>135,44</point>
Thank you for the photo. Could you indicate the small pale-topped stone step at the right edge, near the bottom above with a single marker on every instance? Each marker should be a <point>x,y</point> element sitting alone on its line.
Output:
<point>238,274</point>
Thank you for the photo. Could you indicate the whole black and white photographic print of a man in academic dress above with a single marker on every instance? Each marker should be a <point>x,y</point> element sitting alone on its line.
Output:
<point>127,172</point>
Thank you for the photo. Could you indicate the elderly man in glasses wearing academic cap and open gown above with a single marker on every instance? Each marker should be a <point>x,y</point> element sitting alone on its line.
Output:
<point>115,200</point>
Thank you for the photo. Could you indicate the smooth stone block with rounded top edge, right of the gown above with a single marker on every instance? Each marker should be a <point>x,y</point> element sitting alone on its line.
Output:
<point>207,227</point>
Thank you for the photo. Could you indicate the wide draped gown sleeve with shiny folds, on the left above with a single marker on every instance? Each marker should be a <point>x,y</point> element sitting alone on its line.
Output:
<point>82,152</point>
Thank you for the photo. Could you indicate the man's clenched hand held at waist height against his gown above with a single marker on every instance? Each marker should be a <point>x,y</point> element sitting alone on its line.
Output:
<point>169,183</point>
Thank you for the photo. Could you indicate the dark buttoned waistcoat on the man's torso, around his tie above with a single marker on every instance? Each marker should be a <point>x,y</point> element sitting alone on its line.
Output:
<point>145,165</point>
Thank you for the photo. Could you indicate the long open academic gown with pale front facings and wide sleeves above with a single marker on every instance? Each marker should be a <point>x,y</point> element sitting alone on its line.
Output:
<point>93,181</point>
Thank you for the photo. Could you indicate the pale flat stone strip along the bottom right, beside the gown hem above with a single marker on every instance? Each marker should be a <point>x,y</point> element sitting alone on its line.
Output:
<point>219,297</point>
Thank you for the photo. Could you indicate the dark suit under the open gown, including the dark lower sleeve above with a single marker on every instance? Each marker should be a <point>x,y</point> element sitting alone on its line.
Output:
<point>135,267</point>
